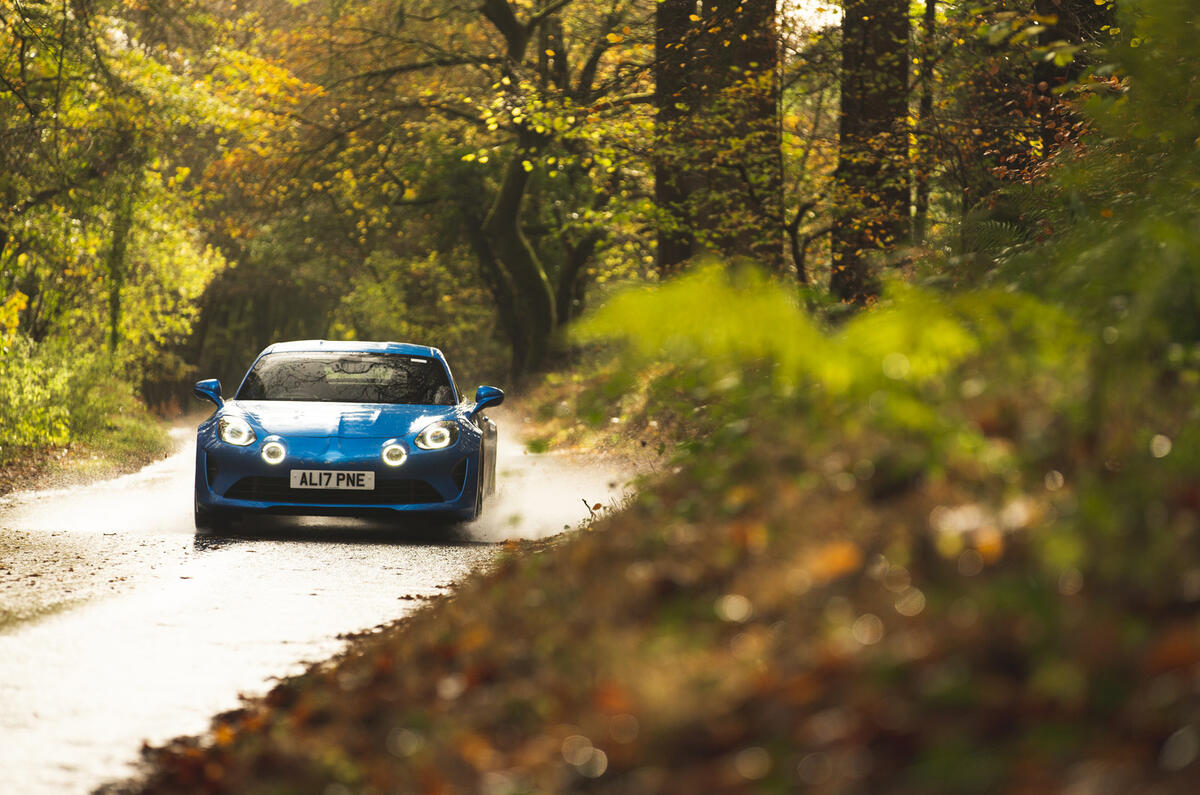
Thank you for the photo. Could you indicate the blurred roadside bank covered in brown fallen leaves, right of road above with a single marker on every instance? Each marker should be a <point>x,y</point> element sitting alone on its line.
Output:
<point>775,612</point>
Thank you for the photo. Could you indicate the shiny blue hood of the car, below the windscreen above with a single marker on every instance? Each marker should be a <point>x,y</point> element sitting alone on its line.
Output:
<point>346,421</point>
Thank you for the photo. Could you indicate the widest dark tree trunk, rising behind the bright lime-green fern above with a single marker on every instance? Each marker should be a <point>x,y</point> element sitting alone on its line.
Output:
<point>719,170</point>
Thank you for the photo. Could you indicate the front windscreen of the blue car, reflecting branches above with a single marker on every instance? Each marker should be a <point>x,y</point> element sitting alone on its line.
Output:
<point>349,379</point>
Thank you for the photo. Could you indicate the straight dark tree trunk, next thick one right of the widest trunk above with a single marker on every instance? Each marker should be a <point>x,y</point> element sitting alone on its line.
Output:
<point>872,175</point>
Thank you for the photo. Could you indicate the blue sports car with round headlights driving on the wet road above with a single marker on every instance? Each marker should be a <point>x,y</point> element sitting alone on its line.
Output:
<point>345,429</point>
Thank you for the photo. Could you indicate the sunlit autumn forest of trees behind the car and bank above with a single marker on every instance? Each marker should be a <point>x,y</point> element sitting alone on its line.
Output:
<point>184,183</point>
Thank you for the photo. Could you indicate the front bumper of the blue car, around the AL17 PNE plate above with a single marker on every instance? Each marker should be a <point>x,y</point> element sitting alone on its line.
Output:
<point>238,480</point>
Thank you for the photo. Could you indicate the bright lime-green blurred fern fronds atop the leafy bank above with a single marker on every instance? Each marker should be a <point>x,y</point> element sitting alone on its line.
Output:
<point>895,366</point>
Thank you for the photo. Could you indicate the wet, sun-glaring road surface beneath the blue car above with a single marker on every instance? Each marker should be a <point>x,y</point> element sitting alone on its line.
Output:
<point>119,626</point>
